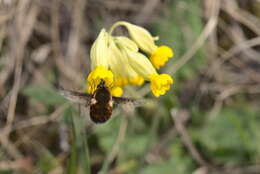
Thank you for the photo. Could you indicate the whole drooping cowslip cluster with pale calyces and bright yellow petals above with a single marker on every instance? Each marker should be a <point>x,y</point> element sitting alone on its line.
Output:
<point>118,60</point>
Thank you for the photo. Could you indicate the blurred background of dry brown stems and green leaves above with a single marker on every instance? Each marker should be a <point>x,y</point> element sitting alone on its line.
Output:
<point>208,123</point>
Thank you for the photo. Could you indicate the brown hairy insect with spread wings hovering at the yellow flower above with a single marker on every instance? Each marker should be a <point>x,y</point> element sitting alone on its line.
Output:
<point>100,102</point>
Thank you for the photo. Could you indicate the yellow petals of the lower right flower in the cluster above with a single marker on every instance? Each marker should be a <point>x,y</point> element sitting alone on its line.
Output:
<point>160,83</point>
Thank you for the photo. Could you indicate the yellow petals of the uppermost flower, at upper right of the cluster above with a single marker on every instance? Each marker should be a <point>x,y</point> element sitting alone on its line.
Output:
<point>160,56</point>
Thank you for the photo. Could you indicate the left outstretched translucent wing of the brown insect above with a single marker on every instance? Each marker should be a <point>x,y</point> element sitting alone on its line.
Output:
<point>76,97</point>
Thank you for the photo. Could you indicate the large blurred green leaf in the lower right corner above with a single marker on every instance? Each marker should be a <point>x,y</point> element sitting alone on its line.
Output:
<point>231,136</point>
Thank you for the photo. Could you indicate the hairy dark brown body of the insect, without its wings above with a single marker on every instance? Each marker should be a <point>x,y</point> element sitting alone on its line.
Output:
<point>101,104</point>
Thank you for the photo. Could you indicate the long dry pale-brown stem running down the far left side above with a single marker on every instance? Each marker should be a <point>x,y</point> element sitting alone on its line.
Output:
<point>25,21</point>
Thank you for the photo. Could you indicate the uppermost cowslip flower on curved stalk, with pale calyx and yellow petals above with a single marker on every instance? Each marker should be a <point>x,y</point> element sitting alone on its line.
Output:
<point>159,55</point>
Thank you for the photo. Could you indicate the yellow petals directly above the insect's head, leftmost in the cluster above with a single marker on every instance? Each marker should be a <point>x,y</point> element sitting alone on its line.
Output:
<point>94,78</point>
